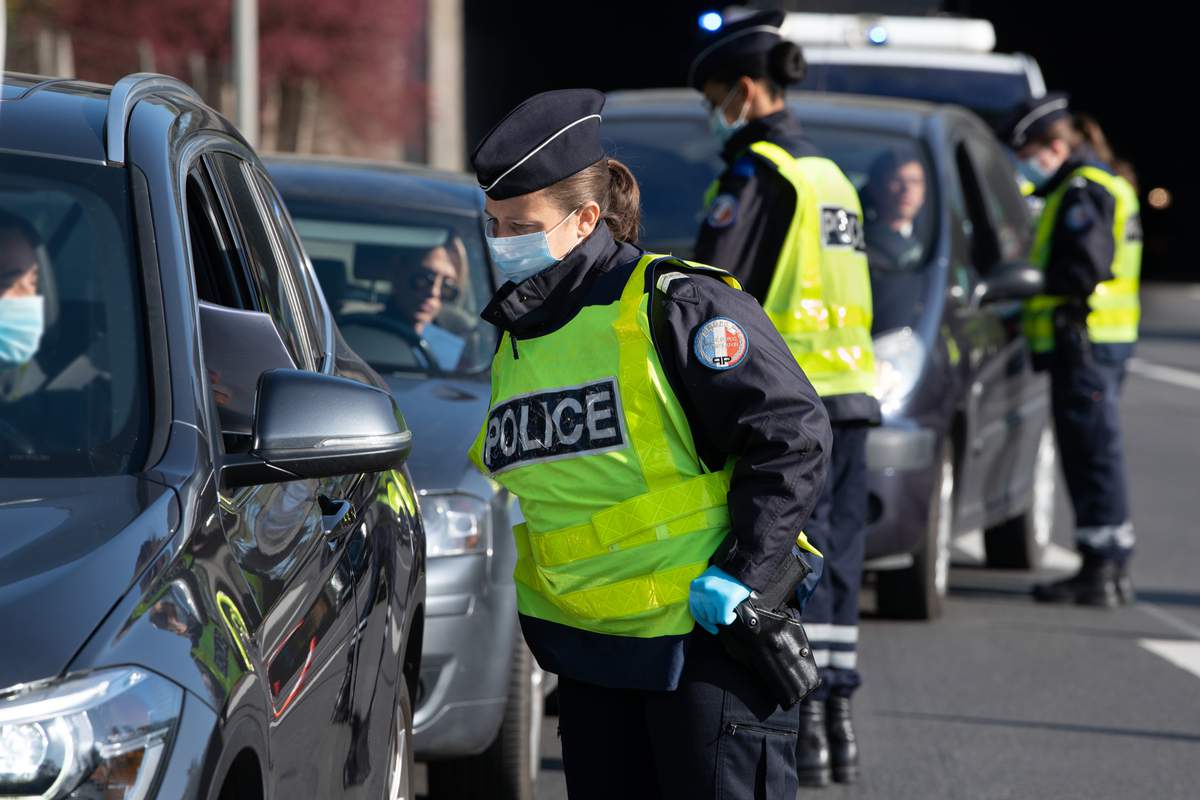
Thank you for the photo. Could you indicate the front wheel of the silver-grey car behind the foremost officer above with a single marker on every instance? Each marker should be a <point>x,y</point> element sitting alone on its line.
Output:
<point>508,769</point>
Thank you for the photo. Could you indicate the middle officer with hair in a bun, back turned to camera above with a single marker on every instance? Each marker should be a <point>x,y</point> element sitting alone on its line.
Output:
<point>789,225</point>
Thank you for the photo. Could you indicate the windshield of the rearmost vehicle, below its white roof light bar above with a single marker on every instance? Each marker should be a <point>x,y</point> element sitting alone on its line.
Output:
<point>992,95</point>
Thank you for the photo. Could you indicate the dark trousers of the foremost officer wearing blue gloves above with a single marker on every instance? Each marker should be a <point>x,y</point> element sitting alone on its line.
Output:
<point>718,736</point>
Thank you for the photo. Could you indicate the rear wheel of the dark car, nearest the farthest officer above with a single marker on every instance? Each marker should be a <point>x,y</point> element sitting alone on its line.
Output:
<point>1021,543</point>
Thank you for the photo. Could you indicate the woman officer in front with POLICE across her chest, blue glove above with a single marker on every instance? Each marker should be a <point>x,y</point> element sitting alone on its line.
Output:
<point>644,412</point>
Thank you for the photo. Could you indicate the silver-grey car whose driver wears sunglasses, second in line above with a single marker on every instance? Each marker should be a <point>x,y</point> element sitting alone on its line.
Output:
<point>401,258</point>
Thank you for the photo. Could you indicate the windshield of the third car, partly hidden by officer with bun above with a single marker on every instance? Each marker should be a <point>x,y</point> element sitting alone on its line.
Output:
<point>676,159</point>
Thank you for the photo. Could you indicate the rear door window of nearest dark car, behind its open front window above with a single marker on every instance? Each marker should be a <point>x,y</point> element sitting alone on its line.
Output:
<point>266,257</point>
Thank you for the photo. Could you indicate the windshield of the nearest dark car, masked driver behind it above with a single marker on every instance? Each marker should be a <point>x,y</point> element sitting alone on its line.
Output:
<point>74,398</point>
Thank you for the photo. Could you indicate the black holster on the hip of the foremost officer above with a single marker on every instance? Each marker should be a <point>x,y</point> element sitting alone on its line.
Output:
<point>769,639</point>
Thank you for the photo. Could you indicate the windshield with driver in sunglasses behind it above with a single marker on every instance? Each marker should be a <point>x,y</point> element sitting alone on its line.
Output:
<point>406,290</point>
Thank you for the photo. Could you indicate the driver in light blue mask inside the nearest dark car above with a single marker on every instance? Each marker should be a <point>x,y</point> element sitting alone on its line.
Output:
<point>22,310</point>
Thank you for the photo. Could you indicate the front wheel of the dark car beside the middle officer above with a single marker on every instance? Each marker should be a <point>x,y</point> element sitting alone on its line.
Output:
<point>919,592</point>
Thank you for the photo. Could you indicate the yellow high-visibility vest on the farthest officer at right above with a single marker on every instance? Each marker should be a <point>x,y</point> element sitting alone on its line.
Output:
<point>1114,309</point>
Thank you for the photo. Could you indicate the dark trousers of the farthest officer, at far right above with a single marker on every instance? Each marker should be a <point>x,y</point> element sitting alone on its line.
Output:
<point>1085,387</point>
